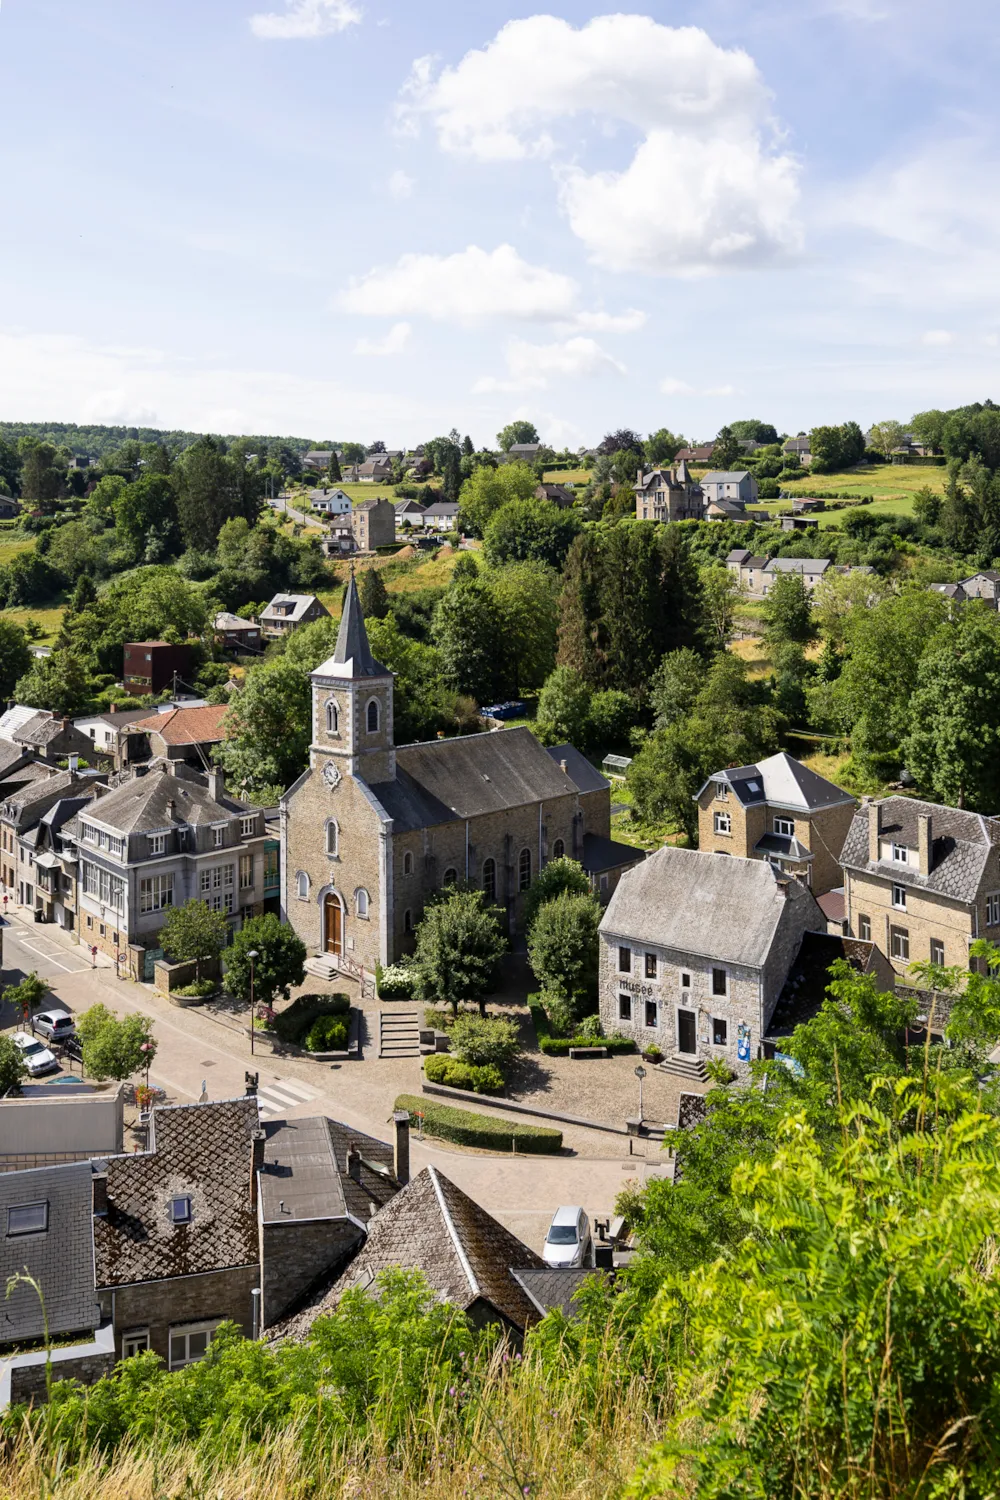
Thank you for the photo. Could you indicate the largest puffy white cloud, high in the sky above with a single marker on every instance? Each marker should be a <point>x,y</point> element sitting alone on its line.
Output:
<point>708,187</point>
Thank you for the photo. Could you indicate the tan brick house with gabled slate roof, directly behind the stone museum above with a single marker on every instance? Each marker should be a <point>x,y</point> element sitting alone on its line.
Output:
<point>782,812</point>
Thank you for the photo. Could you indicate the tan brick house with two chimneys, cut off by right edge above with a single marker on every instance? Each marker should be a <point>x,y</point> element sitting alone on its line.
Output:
<point>921,881</point>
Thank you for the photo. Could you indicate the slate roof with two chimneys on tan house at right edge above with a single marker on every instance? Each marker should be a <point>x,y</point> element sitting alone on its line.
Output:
<point>962,845</point>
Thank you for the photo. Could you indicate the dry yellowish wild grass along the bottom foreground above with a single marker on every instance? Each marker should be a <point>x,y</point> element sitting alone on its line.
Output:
<point>513,1430</point>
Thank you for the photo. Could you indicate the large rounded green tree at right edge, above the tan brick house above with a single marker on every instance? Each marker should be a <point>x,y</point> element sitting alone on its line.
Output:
<point>954,742</point>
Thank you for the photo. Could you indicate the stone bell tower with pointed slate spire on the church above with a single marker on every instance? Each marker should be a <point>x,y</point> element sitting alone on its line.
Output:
<point>353,707</point>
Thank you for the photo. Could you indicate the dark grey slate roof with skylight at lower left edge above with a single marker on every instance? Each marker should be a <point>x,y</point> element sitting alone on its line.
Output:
<point>62,1259</point>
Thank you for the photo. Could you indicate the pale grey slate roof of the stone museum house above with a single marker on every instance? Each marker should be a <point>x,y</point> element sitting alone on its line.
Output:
<point>701,904</point>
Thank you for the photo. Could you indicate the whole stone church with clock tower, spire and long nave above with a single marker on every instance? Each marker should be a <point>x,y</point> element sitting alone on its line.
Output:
<point>371,830</point>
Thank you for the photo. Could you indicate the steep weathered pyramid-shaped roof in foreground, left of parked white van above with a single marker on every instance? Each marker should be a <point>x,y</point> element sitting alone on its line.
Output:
<point>434,1228</point>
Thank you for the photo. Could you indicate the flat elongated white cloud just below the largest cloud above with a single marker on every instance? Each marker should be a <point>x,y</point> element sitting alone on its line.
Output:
<point>469,287</point>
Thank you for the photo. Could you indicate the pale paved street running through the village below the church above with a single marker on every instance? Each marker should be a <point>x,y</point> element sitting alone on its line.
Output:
<point>211,1049</point>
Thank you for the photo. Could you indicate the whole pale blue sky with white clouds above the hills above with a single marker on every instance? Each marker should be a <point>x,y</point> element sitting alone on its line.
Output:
<point>371,220</point>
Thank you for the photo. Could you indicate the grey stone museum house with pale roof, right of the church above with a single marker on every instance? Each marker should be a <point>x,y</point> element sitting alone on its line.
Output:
<point>695,955</point>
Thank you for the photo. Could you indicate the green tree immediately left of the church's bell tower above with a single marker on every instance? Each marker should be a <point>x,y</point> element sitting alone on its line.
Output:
<point>268,728</point>
